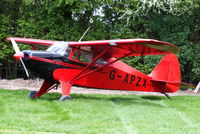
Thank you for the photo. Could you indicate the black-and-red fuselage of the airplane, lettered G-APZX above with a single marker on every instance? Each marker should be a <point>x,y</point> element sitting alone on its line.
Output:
<point>116,76</point>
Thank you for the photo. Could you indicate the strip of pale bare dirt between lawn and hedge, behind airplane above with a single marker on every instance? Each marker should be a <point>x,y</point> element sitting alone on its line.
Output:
<point>35,85</point>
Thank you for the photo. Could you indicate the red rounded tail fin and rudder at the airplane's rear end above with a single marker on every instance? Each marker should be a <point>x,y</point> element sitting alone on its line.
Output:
<point>166,77</point>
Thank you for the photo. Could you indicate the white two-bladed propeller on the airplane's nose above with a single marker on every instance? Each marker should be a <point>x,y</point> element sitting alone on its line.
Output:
<point>19,53</point>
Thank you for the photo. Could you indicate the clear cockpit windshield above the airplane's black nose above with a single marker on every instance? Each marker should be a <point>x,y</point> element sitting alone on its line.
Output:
<point>59,47</point>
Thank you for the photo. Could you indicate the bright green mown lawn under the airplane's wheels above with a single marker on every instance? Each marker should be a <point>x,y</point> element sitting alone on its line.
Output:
<point>98,114</point>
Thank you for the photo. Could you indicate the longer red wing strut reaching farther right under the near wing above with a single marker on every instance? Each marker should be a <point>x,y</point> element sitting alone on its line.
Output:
<point>84,75</point>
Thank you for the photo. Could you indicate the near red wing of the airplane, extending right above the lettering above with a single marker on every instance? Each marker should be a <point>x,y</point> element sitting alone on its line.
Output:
<point>119,48</point>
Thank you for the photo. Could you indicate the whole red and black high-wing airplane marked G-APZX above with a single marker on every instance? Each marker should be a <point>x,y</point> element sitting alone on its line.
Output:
<point>96,64</point>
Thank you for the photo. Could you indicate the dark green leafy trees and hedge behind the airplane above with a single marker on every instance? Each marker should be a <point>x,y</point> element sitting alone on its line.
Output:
<point>174,21</point>
